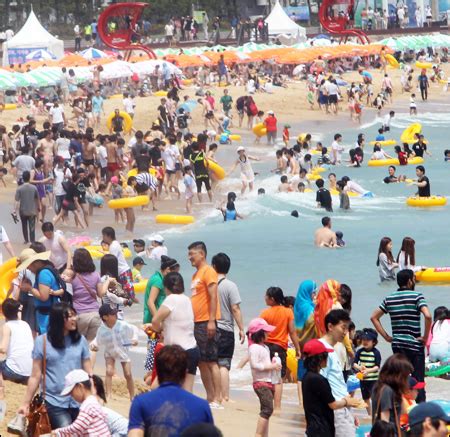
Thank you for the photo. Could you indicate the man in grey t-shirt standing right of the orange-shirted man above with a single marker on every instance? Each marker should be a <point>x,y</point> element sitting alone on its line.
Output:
<point>230,300</point>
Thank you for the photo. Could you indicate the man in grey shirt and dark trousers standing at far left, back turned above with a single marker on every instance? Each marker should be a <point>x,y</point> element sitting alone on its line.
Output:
<point>29,206</point>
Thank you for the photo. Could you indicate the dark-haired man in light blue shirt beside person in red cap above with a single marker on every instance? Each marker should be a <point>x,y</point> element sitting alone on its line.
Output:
<point>336,325</point>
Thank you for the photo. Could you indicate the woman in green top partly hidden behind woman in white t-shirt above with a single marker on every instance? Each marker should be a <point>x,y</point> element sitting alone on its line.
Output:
<point>154,297</point>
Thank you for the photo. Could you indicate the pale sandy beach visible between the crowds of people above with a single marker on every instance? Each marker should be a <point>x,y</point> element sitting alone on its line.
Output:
<point>290,106</point>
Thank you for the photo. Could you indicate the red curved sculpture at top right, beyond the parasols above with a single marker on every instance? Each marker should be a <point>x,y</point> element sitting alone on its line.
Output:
<point>339,24</point>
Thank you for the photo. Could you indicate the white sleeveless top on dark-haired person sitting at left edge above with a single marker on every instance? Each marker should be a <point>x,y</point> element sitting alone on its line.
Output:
<point>18,356</point>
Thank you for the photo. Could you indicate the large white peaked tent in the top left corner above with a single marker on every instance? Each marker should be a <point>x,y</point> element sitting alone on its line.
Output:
<point>31,37</point>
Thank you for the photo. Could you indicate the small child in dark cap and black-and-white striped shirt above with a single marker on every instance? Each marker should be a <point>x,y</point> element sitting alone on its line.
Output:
<point>368,362</point>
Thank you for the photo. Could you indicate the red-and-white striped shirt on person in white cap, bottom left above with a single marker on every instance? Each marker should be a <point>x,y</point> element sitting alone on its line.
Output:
<point>90,422</point>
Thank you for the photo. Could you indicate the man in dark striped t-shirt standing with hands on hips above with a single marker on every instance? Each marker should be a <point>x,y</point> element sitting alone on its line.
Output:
<point>405,307</point>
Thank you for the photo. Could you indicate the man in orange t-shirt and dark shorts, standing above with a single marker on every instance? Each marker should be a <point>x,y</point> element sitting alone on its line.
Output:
<point>206,308</point>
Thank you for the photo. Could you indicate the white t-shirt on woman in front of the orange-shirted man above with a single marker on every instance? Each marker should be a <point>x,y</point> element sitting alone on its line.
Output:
<point>179,325</point>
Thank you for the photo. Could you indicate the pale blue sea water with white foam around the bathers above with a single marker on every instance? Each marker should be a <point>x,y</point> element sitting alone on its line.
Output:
<point>272,248</point>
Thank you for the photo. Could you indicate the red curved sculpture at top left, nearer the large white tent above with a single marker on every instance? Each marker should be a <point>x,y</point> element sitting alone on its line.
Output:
<point>117,27</point>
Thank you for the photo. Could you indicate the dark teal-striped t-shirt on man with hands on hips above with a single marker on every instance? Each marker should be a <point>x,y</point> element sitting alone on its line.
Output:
<point>404,308</point>
